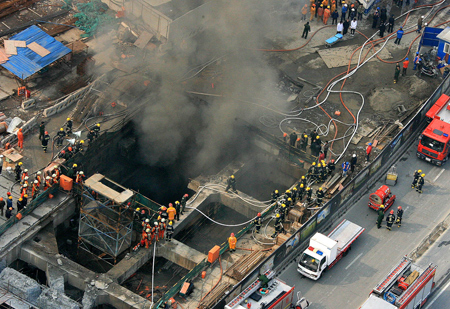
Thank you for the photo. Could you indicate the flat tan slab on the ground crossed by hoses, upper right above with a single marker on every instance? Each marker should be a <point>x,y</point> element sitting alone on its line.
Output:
<point>340,56</point>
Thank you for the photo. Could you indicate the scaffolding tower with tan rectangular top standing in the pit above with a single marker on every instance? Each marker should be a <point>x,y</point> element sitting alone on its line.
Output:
<point>106,221</point>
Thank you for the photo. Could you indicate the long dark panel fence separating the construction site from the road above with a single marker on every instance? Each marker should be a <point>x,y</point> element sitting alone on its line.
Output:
<point>343,200</point>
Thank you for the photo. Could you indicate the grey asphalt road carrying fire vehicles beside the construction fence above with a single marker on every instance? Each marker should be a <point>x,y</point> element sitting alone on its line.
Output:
<point>374,253</point>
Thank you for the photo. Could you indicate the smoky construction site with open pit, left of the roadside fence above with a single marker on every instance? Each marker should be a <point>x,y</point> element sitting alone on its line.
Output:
<point>184,95</point>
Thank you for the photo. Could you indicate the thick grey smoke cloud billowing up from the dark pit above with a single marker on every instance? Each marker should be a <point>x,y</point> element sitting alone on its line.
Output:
<point>173,120</point>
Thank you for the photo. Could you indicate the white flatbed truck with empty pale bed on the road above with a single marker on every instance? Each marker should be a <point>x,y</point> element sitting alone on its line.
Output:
<point>325,251</point>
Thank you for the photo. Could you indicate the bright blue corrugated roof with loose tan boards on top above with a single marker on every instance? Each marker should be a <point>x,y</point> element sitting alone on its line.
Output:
<point>27,62</point>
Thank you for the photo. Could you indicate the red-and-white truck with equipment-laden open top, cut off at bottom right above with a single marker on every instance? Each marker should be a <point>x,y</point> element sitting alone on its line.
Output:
<point>406,286</point>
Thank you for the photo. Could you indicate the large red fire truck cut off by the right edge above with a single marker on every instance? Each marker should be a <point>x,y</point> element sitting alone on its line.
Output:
<point>434,143</point>
